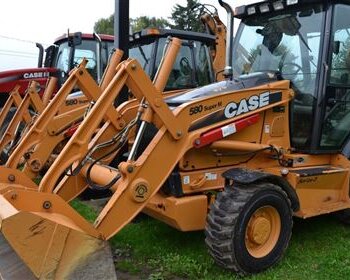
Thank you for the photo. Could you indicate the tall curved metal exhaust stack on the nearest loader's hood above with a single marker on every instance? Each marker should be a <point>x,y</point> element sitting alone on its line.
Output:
<point>228,72</point>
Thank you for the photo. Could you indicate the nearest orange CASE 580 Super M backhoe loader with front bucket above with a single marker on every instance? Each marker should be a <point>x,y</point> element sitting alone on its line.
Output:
<point>237,158</point>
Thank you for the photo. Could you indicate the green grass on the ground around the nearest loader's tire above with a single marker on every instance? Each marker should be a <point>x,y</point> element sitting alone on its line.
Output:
<point>319,249</point>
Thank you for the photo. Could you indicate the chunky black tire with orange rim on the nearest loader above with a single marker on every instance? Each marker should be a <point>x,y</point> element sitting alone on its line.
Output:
<point>249,227</point>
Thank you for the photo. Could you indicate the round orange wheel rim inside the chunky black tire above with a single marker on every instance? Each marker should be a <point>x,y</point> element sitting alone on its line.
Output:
<point>263,231</point>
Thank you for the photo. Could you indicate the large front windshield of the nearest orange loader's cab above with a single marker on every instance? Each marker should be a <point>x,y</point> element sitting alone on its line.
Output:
<point>287,43</point>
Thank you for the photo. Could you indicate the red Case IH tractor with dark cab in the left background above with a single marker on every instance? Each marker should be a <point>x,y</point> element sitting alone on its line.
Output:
<point>66,52</point>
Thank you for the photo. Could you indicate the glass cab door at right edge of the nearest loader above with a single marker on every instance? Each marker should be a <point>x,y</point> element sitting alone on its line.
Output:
<point>336,119</point>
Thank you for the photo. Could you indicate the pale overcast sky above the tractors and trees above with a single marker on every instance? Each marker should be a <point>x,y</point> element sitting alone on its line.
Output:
<point>24,22</point>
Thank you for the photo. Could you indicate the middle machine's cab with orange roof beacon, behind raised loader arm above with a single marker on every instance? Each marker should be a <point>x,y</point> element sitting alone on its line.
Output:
<point>193,65</point>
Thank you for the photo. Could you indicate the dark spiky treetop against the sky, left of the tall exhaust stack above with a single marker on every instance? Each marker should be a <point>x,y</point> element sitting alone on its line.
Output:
<point>187,17</point>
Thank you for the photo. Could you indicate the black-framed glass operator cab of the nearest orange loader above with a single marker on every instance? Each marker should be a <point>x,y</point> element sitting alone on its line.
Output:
<point>308,43</point>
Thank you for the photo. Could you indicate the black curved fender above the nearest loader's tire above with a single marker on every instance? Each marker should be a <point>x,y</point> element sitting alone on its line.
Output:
<point>247,176</point>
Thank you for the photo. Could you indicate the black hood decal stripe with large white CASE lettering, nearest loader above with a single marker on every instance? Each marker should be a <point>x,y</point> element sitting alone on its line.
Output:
<point>234,109</point>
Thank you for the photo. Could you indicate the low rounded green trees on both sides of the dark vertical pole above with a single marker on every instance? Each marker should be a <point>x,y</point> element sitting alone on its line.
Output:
<point>106,25</point>
